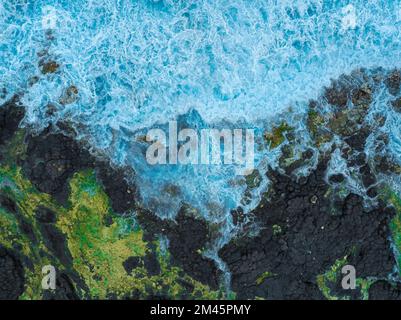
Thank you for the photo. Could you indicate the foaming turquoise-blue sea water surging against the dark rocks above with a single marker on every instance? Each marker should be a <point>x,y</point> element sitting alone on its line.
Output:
<point>140,64</point>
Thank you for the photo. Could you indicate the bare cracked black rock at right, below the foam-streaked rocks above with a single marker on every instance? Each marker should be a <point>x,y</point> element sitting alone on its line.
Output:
<point>309,241</point>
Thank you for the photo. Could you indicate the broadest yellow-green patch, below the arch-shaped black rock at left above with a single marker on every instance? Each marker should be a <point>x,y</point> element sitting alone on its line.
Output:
<point>98,250</point>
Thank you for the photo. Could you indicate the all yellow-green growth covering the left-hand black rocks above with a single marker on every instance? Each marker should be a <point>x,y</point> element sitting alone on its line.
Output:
<point>98,248</point>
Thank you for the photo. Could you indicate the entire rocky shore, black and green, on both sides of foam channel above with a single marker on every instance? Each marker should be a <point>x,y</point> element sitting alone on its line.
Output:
<point>73,210</point>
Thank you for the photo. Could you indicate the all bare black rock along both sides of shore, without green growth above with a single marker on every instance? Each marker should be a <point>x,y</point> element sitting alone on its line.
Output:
<point>305,226</point>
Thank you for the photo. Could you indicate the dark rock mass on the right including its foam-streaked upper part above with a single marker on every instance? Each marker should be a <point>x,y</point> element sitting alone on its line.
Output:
<point>307,223</point>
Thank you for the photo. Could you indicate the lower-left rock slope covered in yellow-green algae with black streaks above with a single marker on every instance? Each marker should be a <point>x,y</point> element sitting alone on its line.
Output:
<point>84,238</point>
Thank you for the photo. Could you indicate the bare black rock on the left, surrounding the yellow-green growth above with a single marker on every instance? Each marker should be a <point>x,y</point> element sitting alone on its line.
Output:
<point>49,161</point>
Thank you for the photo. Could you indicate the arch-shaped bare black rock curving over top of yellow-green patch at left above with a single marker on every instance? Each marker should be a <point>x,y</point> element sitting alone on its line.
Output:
<point>52,159</point>
